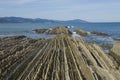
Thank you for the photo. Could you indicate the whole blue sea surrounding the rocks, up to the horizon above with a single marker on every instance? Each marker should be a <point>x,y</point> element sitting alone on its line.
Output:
<point>111,28</point>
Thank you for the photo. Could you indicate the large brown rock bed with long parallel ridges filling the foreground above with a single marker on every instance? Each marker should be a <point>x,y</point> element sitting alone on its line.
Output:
<point>60,58</point>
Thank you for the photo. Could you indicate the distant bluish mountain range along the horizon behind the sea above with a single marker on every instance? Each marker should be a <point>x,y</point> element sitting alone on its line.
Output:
<point>37,20</point>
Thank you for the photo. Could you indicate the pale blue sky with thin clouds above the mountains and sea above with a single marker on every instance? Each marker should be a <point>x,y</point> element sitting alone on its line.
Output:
<point>89,10</point>
